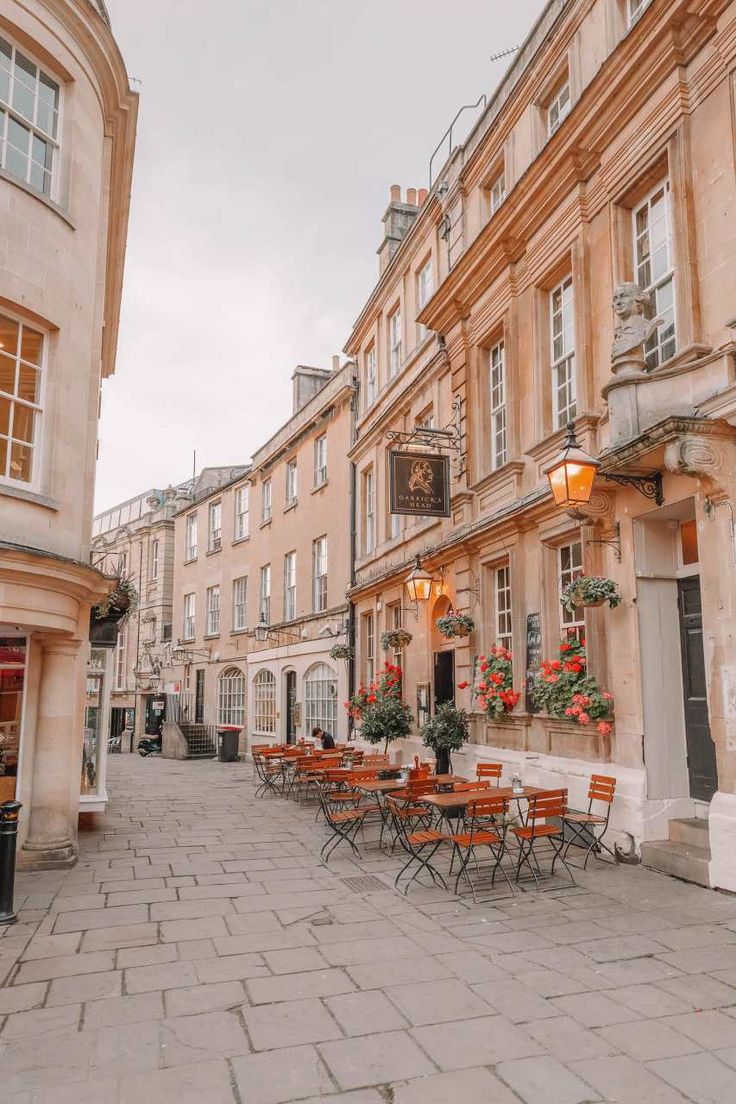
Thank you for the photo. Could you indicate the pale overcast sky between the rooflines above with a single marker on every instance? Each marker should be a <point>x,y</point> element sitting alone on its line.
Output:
<point>269,136</point>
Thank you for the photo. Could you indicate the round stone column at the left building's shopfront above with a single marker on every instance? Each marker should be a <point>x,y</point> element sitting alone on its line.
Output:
<point>51,840</point>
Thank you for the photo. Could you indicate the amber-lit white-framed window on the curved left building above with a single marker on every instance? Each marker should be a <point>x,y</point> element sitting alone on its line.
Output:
<point>22,397</point>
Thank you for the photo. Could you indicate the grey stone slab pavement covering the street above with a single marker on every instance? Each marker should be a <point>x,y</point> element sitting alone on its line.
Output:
<point>200,954</point>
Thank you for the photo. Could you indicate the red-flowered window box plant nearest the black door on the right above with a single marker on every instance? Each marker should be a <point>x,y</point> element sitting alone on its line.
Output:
<point>564,689</point>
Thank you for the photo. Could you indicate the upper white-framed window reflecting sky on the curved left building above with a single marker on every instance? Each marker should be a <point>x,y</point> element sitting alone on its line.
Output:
<point>29,120</point>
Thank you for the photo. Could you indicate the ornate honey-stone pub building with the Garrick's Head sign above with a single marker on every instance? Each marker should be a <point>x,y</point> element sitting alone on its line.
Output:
<point>605,158</point>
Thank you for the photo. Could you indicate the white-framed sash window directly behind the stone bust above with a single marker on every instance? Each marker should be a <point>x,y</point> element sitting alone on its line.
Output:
<point>655,267</point>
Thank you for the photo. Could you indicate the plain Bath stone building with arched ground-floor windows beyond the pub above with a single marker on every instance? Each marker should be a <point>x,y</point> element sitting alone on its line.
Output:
<point>261,572</point>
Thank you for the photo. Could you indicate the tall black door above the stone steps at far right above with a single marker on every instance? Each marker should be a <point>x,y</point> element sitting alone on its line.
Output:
<point>701,750</point>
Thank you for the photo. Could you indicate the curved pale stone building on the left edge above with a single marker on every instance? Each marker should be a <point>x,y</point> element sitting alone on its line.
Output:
<point>68,123</point>
